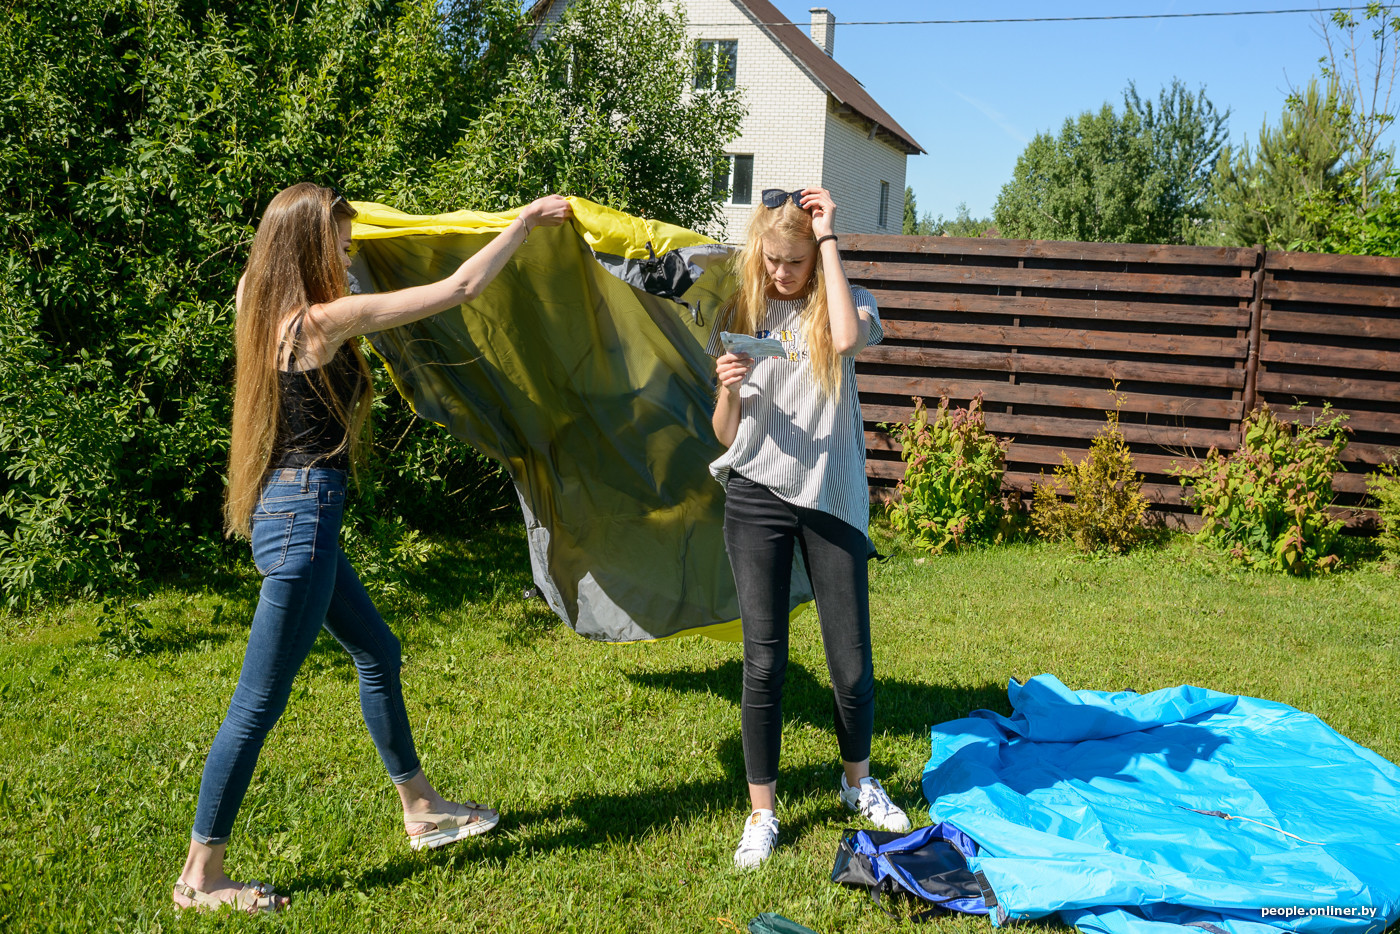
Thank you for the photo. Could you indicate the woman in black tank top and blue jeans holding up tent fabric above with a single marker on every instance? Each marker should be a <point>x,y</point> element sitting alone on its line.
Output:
<point>302,401</point>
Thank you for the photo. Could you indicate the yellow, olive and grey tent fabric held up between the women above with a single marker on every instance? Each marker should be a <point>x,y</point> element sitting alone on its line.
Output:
<point>593,390</point>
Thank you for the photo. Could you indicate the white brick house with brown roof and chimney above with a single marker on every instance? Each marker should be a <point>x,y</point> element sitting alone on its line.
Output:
<point>808,121</point>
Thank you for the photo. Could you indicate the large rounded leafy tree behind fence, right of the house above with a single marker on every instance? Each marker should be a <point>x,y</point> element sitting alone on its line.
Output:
<point>1137,176</point>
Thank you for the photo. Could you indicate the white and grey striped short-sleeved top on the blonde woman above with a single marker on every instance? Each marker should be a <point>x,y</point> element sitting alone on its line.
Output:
<point>806,447</point>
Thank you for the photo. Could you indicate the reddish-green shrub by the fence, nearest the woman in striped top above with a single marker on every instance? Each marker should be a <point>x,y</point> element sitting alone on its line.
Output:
<point>951,494</point>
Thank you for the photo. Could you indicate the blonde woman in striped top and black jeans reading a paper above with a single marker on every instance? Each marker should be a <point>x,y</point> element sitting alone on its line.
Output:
<point>794,475</point>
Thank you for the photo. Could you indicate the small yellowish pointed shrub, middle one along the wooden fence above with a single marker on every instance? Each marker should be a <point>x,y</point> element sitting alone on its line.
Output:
<point>1107,506</point>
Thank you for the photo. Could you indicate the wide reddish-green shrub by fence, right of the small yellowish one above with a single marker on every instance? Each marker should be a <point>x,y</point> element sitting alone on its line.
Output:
<point>1268,502</point>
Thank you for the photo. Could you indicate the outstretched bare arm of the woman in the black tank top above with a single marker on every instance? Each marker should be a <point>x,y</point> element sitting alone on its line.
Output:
<point>355,316</point>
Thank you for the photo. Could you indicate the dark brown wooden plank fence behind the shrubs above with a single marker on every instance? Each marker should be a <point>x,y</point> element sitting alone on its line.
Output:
<point>1195,338</point>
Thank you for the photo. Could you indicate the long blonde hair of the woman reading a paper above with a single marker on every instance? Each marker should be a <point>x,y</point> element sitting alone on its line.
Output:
<point>786,225</point>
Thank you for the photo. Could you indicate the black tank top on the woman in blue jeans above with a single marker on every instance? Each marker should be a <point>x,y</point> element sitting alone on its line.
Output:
<point>309,432</point>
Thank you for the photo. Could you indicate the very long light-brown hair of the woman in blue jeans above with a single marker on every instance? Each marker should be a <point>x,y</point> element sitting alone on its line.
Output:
<point>295,264</point>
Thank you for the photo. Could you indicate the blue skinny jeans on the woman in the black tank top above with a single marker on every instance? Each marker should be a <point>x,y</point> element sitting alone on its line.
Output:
<point>307,585</point>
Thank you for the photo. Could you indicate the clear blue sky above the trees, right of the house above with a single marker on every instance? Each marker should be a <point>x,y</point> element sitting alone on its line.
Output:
<point>974,96</point>
